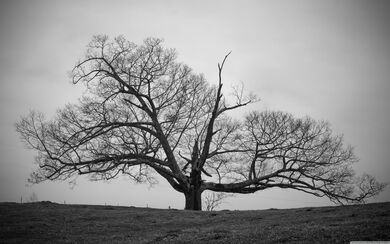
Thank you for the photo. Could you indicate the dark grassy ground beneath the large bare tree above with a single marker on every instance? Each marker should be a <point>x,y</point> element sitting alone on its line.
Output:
<point>46,222</point>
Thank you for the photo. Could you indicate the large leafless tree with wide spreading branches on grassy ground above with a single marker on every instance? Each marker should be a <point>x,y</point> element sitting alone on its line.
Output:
<point>145,113</point>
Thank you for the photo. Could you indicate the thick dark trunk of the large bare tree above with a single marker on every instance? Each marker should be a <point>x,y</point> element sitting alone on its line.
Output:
<point>194,194</point>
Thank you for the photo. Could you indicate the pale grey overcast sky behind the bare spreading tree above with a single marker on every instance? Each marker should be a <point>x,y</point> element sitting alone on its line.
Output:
<point>326,59</point>
